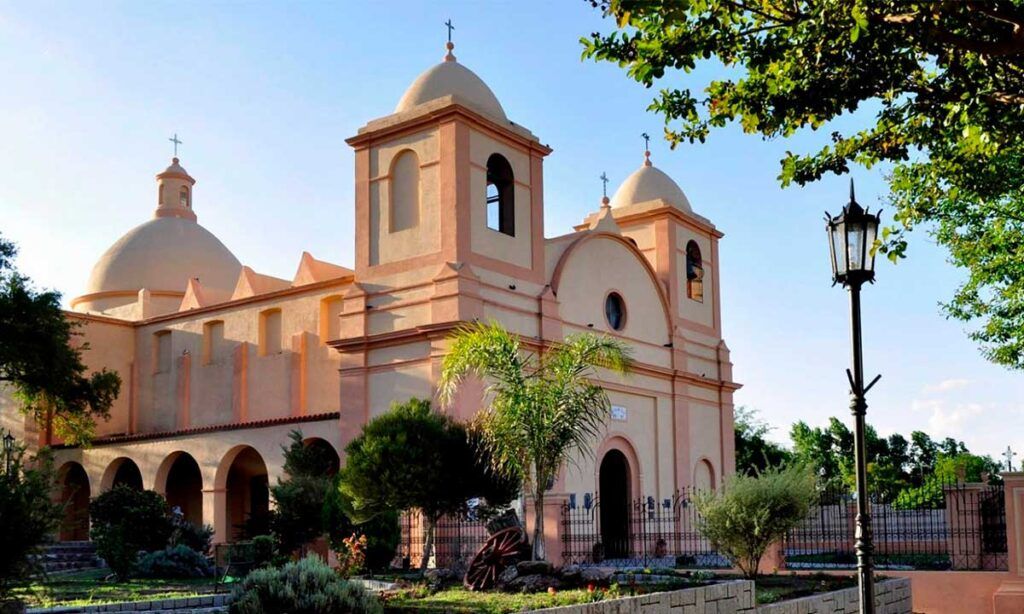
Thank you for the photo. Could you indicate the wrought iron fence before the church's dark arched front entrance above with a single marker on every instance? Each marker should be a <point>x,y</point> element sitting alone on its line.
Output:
<point>645,532</point>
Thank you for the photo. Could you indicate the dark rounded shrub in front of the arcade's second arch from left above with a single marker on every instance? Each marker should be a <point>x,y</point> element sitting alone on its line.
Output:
<point>126,521</point>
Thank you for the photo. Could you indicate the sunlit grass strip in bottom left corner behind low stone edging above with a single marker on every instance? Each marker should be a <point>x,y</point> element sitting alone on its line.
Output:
<point>92,588</point>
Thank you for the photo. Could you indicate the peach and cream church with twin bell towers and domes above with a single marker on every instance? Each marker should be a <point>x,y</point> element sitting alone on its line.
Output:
<point>221,363</point>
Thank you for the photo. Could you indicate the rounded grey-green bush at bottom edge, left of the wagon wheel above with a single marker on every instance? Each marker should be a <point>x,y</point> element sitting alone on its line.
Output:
<point>307,587</point>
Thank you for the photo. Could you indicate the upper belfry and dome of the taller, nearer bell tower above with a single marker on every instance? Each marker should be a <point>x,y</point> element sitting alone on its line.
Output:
<point>448,180</point>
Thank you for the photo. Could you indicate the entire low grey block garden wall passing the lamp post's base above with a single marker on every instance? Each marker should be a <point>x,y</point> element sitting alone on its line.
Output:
<point>891,597</point>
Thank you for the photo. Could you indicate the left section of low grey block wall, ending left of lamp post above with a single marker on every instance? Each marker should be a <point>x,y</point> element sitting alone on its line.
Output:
<point>733,598</point>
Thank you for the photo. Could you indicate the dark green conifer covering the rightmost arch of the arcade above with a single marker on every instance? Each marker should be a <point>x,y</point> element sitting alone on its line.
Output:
<point>300,495</point>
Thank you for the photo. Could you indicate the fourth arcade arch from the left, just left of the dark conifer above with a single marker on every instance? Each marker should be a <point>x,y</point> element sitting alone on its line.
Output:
<point>248,496</point>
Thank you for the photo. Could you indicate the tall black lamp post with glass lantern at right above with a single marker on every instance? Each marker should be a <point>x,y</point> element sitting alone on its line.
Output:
<point>851,236</point>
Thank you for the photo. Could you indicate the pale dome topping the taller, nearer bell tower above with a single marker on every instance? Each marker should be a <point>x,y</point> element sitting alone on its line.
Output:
<point>452,79</point>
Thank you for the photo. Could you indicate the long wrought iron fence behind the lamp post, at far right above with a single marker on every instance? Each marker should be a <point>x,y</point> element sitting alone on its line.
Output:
<point>964,529</point>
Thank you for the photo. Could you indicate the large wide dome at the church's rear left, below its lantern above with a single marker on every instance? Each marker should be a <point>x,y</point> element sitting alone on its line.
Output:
<point>162,255</point>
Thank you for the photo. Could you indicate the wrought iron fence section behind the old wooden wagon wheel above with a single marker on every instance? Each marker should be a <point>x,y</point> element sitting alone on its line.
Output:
<point>457,539</point>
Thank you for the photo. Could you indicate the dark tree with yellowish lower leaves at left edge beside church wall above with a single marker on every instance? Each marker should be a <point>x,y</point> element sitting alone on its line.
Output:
<point>42,365</point>
